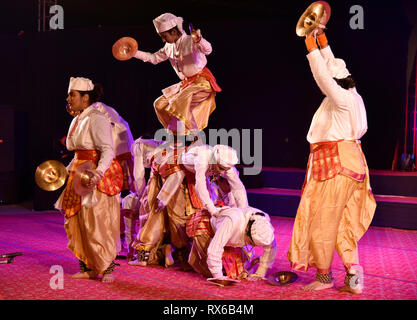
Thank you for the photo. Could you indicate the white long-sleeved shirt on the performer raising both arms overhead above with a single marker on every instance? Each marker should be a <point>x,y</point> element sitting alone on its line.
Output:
<point>342,114</point>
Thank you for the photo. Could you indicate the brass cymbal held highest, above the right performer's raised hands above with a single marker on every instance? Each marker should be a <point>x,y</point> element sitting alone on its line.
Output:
<point>312,17</point>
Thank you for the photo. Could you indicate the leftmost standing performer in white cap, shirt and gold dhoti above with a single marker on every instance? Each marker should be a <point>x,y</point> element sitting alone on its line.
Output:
<point>92,222</point>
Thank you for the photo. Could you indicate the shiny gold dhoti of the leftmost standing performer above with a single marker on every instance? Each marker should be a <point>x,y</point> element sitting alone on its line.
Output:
<point>94,233</point>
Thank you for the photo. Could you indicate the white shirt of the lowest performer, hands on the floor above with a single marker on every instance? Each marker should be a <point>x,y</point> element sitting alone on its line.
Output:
<point>230,228</point>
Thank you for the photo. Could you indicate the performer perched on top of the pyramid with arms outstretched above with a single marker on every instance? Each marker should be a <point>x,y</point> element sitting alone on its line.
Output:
<point>184,107</point>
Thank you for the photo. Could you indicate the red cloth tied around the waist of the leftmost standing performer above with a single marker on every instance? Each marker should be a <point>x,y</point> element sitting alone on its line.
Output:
<point>110,184</point>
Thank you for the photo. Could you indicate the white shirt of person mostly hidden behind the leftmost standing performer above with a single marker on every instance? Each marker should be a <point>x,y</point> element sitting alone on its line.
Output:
<point>122,137</point>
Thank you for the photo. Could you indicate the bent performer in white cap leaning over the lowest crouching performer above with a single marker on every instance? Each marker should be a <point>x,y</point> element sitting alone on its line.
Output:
<point>202,164</point>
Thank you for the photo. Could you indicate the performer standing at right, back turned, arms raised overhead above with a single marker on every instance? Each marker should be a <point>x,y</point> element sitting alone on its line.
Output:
<point>337,205</point>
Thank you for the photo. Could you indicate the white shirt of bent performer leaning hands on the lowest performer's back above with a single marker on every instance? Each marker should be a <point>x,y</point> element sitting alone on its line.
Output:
<point>198,159</point>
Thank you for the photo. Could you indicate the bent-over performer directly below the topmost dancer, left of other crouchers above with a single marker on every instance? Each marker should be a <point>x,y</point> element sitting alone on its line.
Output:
<point>164,203</point>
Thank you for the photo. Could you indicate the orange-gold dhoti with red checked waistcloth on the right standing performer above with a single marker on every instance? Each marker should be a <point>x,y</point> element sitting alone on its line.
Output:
<point>336,207</point>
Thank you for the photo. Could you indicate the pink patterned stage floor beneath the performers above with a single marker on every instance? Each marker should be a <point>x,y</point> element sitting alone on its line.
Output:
<point>387,255</point>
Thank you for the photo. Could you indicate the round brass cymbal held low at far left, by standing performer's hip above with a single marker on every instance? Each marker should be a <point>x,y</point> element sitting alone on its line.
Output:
<point>50,175</point>
